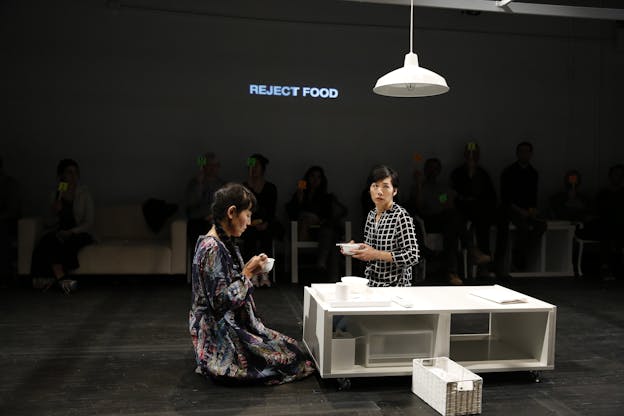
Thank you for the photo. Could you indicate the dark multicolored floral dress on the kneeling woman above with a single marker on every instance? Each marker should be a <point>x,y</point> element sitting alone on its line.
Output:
<point>230,342</point>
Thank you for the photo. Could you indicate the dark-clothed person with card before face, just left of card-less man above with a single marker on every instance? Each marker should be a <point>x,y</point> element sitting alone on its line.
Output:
<point>476,201</point>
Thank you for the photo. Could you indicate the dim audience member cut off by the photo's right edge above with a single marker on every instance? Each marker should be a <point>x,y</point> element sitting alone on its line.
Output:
<point>609,226</point>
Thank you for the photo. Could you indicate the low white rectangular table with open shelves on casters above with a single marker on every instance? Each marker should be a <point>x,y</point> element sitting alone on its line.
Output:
<point>521,336</point>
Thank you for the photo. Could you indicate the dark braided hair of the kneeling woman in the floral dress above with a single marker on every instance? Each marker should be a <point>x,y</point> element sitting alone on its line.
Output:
<point>226,196</point>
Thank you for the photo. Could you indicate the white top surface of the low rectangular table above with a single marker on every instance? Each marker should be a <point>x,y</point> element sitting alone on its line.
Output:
<point>435,299</point>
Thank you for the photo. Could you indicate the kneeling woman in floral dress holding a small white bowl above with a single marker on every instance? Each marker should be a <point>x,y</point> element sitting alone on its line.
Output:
<point>231,343</point>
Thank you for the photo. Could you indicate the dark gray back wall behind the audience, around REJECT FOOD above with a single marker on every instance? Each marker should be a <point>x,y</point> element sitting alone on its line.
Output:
<point>135,94</point>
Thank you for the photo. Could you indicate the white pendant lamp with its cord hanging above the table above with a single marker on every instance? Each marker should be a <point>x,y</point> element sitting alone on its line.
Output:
<point>411,80</point>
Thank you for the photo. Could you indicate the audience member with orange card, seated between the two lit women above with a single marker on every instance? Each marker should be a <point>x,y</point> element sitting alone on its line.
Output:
<point>319,215</point>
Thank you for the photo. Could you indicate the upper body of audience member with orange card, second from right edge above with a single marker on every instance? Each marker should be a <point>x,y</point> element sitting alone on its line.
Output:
<point>570,204</point>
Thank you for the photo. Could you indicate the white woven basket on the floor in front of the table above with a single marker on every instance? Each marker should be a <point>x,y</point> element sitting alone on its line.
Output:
<point>447,386</point>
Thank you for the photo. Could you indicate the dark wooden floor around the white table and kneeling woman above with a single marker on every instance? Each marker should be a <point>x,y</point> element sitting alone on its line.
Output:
<point>121,347</point>
